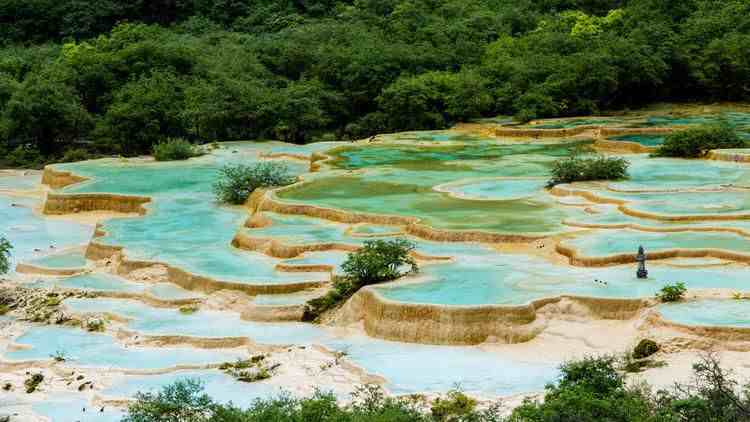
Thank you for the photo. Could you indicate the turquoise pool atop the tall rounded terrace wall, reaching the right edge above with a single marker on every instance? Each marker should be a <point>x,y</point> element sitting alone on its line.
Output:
<point>483,277</point>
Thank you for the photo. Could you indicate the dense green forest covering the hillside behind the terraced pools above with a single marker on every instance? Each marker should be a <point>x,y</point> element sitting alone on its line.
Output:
<point>113,77</point>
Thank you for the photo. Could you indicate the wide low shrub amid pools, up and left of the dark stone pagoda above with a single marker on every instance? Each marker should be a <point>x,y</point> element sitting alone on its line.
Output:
<point>576,169</point>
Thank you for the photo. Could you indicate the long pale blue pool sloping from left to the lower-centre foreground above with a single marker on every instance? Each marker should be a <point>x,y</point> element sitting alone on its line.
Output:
<point>409,368</point>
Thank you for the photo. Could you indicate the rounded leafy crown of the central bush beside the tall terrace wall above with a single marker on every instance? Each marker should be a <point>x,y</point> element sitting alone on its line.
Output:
<point>379,260</point>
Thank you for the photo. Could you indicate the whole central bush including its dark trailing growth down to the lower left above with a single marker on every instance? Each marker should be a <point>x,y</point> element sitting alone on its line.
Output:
<point>375,262</point>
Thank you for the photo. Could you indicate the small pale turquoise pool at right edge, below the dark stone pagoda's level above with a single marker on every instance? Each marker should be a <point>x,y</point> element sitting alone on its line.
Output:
<point>708,312</point>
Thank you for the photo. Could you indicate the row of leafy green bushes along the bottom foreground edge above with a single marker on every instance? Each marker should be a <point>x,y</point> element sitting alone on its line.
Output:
<point>592,389</point>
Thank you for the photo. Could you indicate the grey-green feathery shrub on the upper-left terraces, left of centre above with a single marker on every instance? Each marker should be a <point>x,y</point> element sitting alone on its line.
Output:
<point>236,183</point>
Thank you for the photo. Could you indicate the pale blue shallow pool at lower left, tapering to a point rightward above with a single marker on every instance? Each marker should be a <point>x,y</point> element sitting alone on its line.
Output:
<point>100,350</point>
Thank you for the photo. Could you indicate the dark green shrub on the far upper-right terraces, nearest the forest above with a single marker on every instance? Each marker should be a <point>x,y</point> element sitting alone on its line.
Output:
<point>697,142</point>
